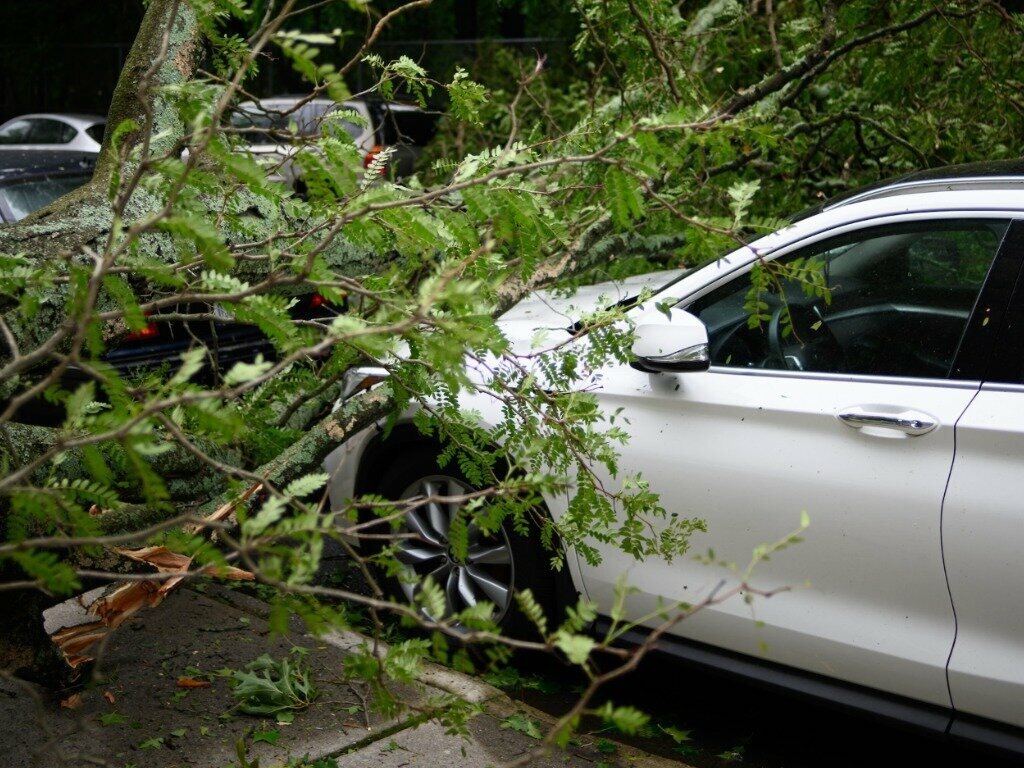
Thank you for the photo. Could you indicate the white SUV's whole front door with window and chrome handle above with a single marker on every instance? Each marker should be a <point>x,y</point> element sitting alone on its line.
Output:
<point>849,417</point>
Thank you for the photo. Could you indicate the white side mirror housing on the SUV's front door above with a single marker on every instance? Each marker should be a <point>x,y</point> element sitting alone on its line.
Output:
<point>676,345</point>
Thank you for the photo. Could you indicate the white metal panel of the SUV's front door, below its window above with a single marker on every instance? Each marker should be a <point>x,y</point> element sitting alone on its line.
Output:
<point>869,603</point>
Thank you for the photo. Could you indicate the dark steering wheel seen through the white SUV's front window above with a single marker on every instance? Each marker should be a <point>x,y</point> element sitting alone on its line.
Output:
<point>810,346</point>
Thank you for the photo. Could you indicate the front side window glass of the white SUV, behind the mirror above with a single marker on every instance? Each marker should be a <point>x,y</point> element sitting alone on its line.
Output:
<point>886,302</point>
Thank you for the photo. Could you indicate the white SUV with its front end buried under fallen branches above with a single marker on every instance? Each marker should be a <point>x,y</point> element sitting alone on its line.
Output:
<point>892,414</point>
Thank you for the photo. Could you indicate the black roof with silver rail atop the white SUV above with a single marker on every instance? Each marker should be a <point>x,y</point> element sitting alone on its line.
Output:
<point>988,176</point>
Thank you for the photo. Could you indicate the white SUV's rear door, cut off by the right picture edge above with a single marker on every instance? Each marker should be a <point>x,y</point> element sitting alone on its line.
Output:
<point>984,533</point>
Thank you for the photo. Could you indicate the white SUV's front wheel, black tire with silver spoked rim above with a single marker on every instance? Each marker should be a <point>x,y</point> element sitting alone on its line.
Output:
<point>498,567</point>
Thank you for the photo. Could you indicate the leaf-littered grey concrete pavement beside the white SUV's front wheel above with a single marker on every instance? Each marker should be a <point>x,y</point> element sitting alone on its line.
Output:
<point>138,715</point>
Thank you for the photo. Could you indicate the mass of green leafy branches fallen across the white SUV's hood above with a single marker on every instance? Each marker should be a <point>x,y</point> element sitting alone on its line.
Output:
<point>679,132</point>
